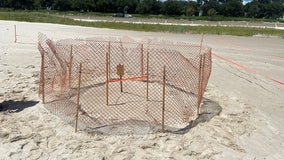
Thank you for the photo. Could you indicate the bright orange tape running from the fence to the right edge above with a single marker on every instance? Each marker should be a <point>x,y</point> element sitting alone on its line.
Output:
<point>246,68</point>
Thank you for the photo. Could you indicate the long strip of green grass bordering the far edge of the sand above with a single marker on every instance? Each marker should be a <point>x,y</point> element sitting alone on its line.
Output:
<point>61,19</point>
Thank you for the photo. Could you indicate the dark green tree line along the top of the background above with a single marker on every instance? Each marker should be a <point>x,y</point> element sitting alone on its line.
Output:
<point>229,8</point>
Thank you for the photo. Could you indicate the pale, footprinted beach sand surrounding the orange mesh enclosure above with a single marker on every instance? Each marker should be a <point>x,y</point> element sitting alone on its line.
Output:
<point>242,112</point>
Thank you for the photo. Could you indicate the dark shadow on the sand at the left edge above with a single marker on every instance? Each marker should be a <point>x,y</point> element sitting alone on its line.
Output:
<point>16,106</point>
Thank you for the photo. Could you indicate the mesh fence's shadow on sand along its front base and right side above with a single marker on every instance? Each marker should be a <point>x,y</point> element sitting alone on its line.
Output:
<point>208,110</point>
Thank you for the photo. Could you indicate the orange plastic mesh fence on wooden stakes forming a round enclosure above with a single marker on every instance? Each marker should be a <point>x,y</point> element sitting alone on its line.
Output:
<point>121,82</point>
